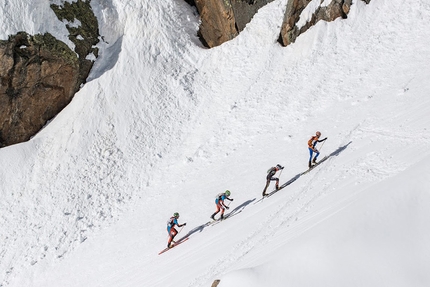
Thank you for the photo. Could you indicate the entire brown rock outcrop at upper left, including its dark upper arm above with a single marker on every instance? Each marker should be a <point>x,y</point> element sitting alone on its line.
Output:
<point>39,75</point>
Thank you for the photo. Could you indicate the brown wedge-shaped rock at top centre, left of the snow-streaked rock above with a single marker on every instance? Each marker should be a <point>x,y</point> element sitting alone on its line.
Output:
<point>222,20</point>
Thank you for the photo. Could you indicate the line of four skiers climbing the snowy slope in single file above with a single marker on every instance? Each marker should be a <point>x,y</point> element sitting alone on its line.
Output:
<point>220,198</point>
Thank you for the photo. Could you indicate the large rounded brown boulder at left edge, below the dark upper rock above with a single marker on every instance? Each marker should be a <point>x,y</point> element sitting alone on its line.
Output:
<point>39,76</point>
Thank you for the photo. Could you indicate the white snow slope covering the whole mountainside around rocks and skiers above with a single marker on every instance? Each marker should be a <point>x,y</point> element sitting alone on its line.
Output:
<point>164,125</point>
